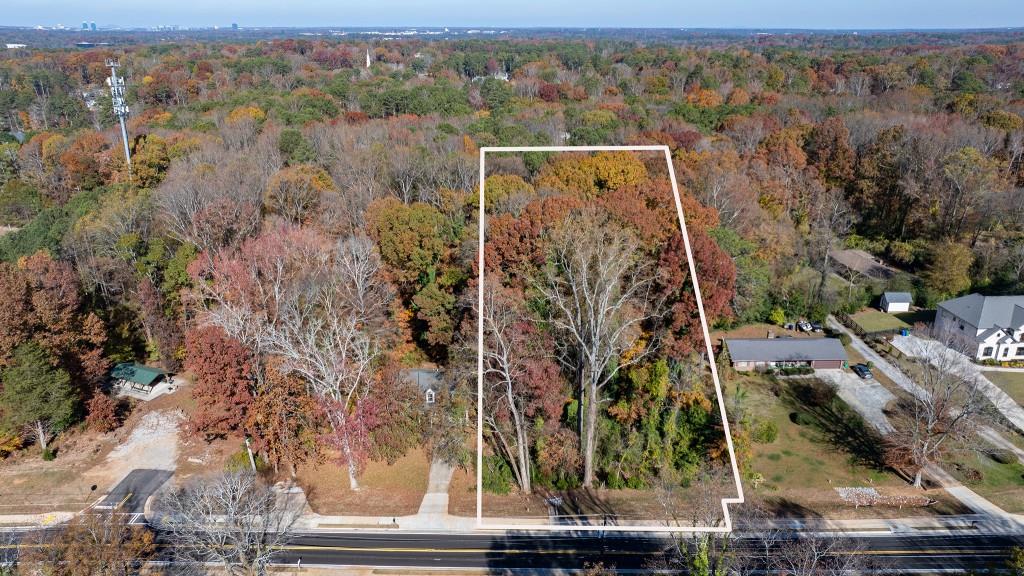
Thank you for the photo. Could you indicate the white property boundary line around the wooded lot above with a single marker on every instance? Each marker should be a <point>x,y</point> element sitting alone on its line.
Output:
<point>704,323</point>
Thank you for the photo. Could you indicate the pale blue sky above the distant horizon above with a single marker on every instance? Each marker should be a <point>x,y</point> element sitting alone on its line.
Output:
<point>523,14</point>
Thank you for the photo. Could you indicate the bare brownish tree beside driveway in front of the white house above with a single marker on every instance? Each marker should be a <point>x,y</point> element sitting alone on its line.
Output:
<point>946,410</point>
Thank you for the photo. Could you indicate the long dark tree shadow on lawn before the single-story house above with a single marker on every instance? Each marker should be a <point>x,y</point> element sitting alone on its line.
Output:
<point>818,407</point>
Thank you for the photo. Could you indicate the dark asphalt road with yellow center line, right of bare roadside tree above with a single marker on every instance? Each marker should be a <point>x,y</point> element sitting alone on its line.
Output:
<point>500,554</point>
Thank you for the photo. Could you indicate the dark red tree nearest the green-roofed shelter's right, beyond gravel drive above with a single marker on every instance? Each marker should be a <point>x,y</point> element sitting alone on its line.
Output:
<point>223,374</point>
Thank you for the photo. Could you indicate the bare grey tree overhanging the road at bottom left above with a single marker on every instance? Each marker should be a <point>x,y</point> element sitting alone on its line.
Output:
<point>232,520</point>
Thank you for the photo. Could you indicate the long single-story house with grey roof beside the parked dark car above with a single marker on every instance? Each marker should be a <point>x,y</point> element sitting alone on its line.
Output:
<point>757,354</point>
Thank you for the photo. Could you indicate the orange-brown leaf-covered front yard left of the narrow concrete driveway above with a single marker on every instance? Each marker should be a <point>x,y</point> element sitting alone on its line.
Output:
<point>385,490</point>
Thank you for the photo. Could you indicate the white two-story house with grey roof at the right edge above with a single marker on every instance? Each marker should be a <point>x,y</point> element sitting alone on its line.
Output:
<point>986,327</point>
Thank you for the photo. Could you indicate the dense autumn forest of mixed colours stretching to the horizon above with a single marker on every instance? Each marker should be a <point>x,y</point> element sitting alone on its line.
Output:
<point>296,228</point>
